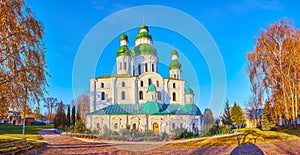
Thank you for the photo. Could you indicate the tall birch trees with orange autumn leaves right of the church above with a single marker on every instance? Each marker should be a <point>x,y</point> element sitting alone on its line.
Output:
<point>274,70</point>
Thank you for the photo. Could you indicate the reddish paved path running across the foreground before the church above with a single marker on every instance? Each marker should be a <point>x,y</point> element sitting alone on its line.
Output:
<point>58,144</point>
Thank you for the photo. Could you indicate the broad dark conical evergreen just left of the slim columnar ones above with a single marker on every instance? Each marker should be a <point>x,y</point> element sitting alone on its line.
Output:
<point>60,117</point>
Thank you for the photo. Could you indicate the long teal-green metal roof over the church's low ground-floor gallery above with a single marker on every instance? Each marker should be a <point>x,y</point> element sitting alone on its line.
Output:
<point>150,107</point>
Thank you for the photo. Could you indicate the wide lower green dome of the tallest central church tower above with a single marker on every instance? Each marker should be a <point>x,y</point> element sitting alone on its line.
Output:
<point>144,49</point>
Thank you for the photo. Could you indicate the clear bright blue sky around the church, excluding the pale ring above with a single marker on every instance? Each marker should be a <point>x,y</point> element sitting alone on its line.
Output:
<point>232,24</point>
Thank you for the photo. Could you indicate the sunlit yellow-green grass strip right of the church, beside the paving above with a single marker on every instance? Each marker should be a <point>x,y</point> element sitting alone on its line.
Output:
<point>247,136</point>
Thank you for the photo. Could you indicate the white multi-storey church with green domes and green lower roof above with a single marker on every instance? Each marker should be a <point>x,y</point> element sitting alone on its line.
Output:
<point>138,98</point>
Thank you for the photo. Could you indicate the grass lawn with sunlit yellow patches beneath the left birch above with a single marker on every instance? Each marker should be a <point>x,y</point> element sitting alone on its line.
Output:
<point>13,132</point>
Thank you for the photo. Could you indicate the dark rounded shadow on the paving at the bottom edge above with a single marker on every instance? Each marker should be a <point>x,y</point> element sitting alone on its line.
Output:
<point>251,149</point>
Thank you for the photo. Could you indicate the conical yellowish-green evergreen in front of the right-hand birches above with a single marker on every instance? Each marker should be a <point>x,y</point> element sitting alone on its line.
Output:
<point>268,120</point>
